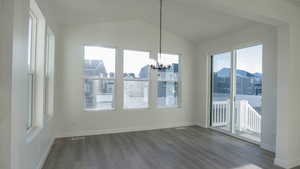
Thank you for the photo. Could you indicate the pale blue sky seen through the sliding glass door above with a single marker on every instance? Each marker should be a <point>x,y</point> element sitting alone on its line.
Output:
<point>248,59</point>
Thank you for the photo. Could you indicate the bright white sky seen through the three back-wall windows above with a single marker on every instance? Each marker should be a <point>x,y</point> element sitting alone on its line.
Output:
<point>133,60</point>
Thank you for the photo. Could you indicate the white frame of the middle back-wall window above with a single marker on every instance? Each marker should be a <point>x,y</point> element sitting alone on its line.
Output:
<point>137,79</point>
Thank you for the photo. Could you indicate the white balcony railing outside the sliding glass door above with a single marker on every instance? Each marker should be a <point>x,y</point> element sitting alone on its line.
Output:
<point>246,118</point>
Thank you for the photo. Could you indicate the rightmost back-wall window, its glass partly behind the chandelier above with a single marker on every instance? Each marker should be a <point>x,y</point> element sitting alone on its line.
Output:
<point>168,82</point>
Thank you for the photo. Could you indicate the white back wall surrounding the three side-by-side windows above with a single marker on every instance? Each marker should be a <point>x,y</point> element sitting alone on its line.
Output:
<point>125,34</point>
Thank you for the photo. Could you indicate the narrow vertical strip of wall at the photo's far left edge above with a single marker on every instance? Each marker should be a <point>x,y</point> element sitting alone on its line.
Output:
<point>6,12</point>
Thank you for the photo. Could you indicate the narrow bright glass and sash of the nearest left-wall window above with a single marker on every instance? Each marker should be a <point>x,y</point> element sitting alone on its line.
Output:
<point>32,36</point>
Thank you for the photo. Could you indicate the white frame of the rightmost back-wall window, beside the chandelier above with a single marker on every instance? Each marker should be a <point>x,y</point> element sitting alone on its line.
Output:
<point>179,83</point>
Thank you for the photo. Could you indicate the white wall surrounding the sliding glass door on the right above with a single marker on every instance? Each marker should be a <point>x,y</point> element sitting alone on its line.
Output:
<point>257,34</point>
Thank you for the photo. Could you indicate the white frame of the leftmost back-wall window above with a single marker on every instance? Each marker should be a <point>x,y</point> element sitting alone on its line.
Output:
<point>114,98</point>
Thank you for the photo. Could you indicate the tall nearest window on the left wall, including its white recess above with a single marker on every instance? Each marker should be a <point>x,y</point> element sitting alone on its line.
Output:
<point>36,68</point>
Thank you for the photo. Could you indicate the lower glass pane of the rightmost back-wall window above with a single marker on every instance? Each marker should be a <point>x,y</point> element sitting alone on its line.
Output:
<point>167,94</point>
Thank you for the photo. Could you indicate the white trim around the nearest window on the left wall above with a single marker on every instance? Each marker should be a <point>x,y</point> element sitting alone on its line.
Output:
<point>38,73</point>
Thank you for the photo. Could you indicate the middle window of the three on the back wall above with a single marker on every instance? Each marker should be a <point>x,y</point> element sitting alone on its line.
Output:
<point>136,79</point>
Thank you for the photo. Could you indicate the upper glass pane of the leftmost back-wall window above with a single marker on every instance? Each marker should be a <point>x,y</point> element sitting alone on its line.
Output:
<point>99,62</point>
